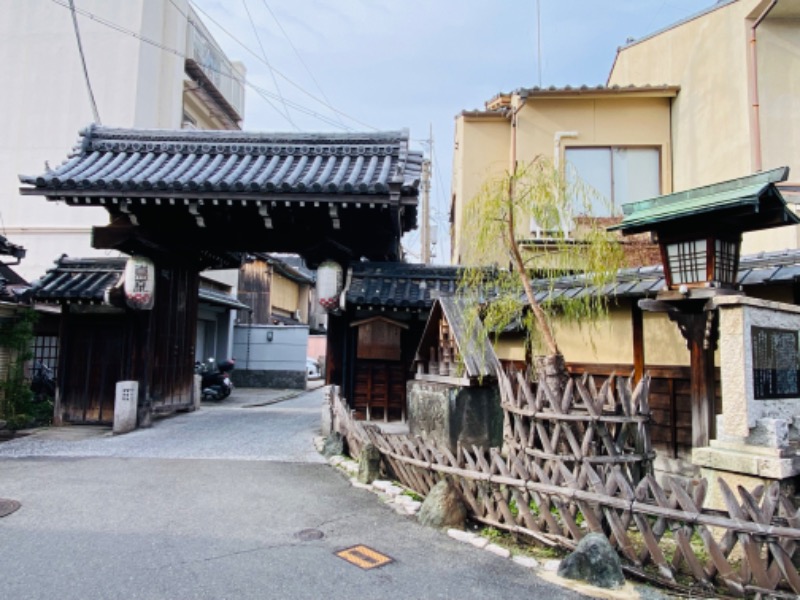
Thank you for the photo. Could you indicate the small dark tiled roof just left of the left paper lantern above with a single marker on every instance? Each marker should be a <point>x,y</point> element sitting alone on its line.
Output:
<point>79,280</point>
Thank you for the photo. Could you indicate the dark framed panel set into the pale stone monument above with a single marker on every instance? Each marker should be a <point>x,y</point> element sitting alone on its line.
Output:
<point>776,363</point>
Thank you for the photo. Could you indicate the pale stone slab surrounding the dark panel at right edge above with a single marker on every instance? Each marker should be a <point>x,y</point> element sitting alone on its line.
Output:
<point>741,411</point>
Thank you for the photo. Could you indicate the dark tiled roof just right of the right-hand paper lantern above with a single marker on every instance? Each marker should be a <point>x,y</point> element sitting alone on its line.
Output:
<point>399,286</point>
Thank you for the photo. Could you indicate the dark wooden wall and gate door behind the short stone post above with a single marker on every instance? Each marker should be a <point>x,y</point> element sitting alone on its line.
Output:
<point>156,348</point>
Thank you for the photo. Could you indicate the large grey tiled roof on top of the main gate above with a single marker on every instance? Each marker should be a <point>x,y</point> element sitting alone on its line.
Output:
<point>237,161</point>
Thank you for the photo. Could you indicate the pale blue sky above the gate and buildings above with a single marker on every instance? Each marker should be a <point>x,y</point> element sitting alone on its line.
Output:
<point>385,65</point>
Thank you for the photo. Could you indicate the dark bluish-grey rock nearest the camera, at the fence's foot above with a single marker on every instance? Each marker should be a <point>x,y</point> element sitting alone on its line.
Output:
<point>594,561</point>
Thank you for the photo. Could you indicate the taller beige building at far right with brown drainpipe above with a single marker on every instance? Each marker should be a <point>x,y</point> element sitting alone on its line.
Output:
<point>737,65</point>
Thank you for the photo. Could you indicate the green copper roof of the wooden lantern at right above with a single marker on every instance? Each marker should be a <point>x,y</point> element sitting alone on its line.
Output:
<point>745,204</point>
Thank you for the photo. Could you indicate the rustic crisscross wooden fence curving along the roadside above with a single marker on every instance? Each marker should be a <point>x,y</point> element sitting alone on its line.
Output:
<point>578,462</point>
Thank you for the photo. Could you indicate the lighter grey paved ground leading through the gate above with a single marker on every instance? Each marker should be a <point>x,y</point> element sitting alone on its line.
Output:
<point>281,428</point>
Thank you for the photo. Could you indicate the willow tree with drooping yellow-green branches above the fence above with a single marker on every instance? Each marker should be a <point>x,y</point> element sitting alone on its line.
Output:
<point>496,225</point>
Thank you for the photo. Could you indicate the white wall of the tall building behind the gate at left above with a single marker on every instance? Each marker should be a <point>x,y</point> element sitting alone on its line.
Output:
<point>45,103</point>
